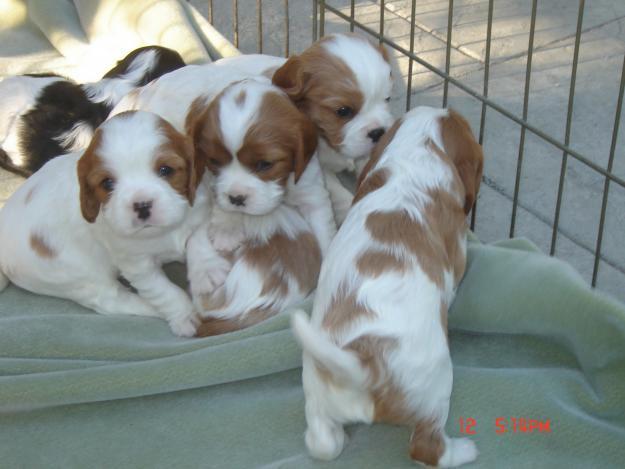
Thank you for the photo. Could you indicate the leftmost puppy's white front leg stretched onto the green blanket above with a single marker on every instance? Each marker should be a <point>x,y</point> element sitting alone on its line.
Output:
<point>169,300</point>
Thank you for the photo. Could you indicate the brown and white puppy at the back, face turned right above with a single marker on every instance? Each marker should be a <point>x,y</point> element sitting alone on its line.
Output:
<point>343,83</point>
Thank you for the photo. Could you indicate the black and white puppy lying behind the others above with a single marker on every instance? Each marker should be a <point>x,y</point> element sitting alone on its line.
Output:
<point>45,115</point>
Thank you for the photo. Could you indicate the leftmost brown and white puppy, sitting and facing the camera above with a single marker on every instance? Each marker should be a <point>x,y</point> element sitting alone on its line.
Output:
<point>124,206</point>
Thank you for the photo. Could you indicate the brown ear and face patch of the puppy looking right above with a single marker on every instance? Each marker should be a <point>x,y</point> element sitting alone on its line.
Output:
<point>320,83</point>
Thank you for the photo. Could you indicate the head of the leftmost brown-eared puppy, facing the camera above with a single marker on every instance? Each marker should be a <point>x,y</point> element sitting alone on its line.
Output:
<point>138,174</point>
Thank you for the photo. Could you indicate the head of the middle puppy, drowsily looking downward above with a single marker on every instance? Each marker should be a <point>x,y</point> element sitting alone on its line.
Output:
<point>252,138</point>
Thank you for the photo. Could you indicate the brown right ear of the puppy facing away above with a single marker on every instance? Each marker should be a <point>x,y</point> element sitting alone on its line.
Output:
<point>465,152</point>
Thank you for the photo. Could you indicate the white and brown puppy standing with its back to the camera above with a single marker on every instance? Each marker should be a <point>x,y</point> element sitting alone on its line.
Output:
<point>375,349</point>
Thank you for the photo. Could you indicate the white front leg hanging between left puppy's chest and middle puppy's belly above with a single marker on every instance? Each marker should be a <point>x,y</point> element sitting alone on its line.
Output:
<point>206,268</point>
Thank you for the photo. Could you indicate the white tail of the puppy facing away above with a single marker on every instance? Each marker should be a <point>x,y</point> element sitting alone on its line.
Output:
<point>343,365</point>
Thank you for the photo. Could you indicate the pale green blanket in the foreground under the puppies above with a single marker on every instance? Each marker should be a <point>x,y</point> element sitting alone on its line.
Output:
<point>528,340</point>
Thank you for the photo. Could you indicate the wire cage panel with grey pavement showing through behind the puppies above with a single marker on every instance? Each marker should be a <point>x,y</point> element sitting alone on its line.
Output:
<point>542,84</point>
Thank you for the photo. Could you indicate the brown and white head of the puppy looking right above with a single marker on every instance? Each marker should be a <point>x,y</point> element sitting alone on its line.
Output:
<point>343,83</point>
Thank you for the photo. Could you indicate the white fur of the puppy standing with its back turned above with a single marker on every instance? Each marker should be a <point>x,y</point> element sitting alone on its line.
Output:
<point>420,365</point>
